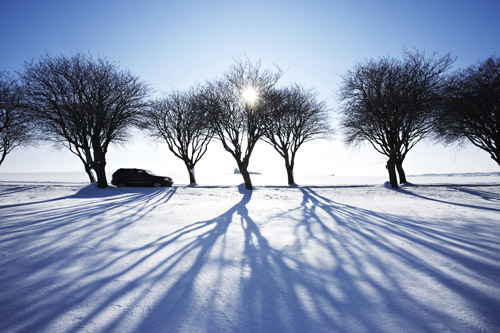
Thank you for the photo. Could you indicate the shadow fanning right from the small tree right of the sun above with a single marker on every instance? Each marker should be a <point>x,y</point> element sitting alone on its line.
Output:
<point>373,241</point>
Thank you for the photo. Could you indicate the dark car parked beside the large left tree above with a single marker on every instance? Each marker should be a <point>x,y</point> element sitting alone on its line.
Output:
<point>139,177</point>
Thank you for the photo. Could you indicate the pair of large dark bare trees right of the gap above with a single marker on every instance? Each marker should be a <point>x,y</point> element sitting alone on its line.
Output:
<point>393,104</point>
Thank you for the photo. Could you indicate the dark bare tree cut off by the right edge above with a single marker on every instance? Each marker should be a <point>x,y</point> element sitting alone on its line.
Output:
<point>471,107</point>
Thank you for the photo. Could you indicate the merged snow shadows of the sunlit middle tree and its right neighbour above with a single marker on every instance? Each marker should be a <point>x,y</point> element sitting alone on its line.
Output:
<point>355,276</point>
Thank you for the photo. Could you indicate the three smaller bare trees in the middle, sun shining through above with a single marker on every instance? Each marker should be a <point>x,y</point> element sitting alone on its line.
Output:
<point>238,110</point>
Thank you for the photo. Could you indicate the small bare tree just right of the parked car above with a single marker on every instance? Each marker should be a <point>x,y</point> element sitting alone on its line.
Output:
<point>183,125</point>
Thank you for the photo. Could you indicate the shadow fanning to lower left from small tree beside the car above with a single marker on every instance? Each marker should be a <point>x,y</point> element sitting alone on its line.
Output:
<point>81,229</point>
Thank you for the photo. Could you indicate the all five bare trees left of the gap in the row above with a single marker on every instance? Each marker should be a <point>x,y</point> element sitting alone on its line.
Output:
<point>85,104</point>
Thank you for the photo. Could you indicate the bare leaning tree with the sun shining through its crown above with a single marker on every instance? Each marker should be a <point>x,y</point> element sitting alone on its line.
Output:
<point>236,110</point>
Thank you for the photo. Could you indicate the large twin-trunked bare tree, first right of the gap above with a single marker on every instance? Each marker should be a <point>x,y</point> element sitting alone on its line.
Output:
<point>390,103</point>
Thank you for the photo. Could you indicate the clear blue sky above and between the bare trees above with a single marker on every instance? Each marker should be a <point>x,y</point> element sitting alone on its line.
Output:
<point>174,44</point>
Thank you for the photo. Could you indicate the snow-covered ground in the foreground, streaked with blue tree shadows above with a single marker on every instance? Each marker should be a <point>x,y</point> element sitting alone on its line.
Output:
<point>75,258</point>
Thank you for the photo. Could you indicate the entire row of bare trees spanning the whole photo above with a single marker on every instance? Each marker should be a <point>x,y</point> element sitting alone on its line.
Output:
<point>86,103</point>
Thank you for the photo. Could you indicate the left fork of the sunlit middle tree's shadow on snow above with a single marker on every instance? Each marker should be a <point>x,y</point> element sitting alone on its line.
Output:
<point>199,251</point>
